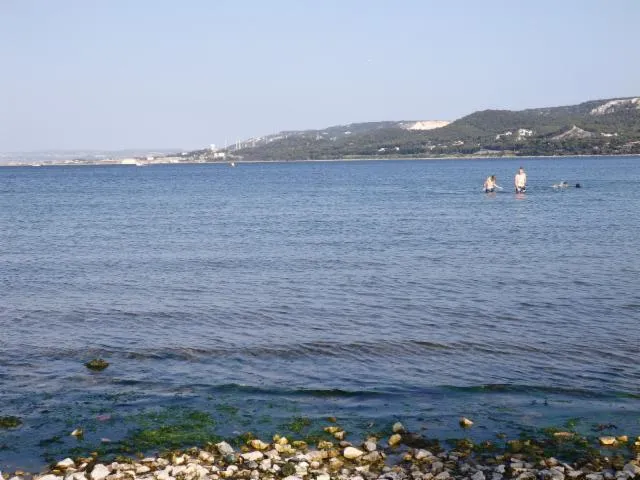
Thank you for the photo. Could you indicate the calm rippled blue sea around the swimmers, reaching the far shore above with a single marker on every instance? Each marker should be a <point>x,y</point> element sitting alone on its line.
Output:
<point>372,291</point>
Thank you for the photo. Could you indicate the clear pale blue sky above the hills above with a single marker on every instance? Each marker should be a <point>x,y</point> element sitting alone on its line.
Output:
<point>118,74</point>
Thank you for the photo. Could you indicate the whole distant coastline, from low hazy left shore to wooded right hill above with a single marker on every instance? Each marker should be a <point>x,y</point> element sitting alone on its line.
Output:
<point>607,127</point>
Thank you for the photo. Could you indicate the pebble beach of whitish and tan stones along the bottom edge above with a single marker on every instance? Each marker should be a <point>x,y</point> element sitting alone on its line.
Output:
<point>396,457</point>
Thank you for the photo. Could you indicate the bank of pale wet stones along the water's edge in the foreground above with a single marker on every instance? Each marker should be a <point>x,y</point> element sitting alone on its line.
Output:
<point>327,460</point>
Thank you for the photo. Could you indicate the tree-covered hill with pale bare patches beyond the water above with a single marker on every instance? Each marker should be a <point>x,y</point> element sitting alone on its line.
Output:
<point>610,126</point>
